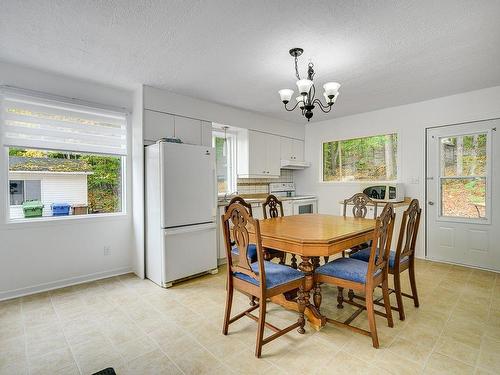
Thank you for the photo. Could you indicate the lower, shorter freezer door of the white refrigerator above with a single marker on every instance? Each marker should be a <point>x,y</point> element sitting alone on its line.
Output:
<point>188,251</point>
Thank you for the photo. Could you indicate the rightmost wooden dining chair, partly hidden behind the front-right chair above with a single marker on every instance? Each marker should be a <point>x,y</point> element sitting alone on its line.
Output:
<point>404,257</point>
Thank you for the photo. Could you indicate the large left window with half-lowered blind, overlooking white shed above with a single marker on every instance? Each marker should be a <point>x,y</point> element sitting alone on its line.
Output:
<point>62,154</point>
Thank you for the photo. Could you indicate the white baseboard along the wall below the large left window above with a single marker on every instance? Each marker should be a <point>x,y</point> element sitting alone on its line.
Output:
<point>15,293</point>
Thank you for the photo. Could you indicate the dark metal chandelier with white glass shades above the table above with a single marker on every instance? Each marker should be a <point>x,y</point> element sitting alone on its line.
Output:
<point>307,101</point>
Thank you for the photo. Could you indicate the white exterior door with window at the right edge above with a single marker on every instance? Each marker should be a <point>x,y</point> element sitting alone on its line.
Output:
<point>463,194</point>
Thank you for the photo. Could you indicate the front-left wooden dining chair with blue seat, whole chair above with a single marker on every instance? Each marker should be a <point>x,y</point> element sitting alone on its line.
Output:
<point>261,279</point>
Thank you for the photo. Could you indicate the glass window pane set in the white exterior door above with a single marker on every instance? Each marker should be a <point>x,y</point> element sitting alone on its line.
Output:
<point>463,176</point>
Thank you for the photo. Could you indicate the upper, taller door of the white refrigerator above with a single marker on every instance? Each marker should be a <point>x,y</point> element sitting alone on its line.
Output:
<point>188,194</point>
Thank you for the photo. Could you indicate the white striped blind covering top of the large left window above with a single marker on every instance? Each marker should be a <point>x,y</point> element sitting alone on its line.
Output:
<point>33,122</point>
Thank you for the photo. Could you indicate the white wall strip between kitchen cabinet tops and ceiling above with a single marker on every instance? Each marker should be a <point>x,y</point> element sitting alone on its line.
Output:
<point>164,101</point>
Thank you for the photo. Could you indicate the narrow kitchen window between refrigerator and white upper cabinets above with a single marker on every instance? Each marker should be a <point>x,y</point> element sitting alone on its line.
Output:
<point>225,151</point>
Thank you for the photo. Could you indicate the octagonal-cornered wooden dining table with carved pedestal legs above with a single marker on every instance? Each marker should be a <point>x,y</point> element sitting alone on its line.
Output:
<point>312,236</point>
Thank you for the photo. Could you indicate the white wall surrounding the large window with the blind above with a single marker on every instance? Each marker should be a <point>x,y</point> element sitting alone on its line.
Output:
<point>38,256</point>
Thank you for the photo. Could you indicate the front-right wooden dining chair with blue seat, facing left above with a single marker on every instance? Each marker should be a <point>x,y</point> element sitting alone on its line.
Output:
<point>363,276</point>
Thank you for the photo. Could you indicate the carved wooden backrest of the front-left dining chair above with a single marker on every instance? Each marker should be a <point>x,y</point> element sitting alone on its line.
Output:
<point>235,222</point>
